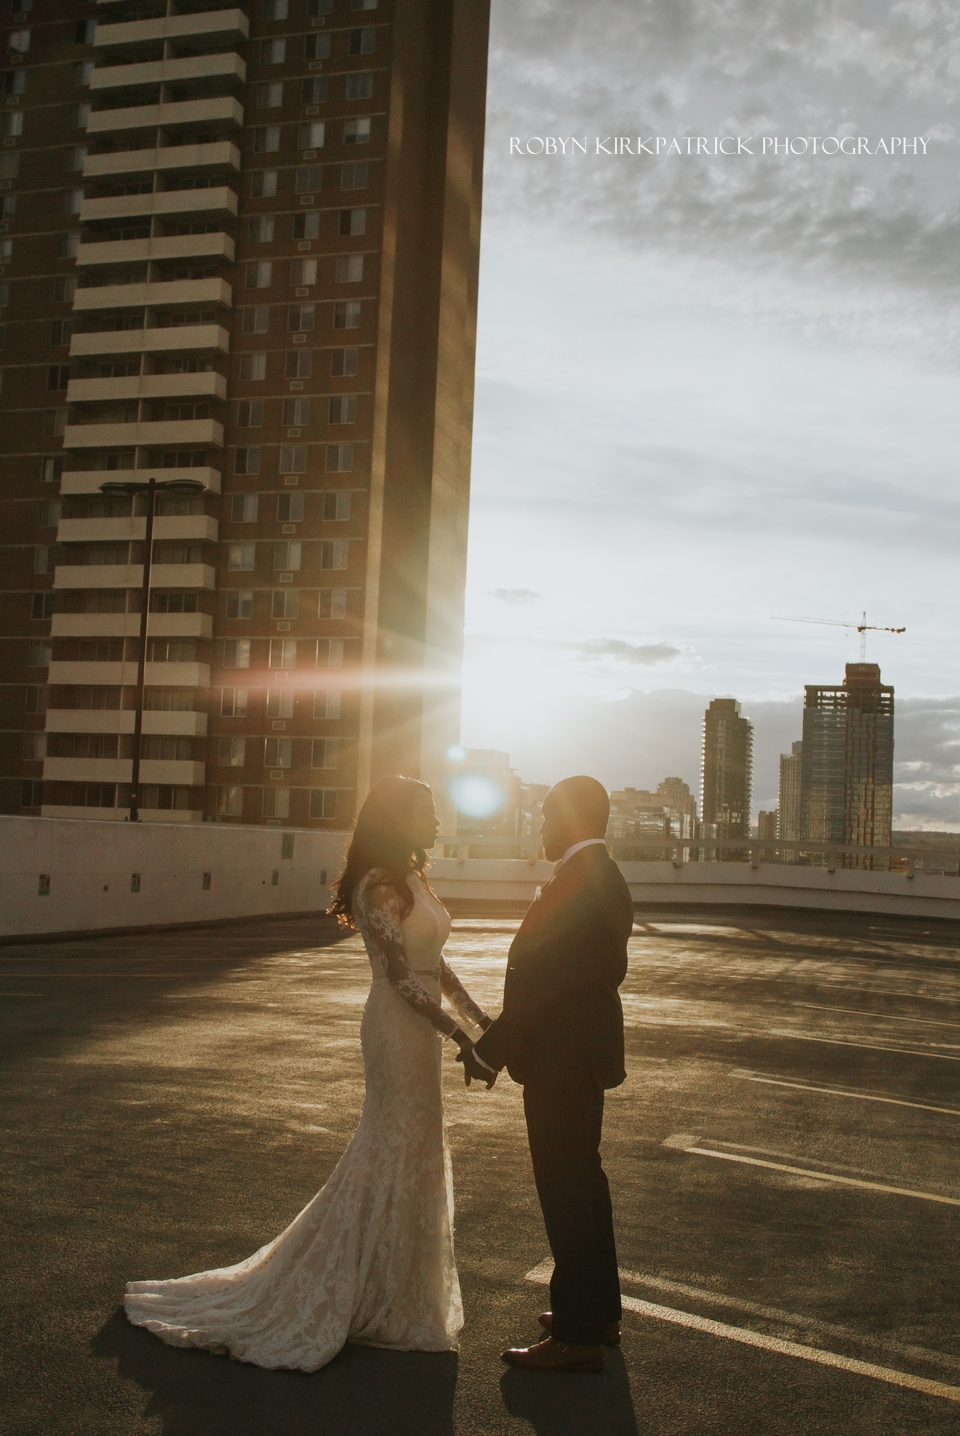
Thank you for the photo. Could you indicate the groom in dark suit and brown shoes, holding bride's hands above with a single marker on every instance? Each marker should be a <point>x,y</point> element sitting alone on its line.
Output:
<point>562,1038</point>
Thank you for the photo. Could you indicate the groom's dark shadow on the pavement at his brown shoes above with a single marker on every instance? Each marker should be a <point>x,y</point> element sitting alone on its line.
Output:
<point>573,1405</point>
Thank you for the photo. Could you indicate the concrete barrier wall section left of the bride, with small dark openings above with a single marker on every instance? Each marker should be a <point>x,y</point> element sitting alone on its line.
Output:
<point>90,868</point>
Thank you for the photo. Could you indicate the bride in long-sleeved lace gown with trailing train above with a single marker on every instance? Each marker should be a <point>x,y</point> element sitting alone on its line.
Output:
<point>371,1259</point>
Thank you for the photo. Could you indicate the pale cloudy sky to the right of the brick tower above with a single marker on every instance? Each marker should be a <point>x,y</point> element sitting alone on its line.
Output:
<point>714,390</point>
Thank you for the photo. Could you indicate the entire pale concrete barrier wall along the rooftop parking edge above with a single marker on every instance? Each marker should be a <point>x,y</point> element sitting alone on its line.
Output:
<point>68,877</point>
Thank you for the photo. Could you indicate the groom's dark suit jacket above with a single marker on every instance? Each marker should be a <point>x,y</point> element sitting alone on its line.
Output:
<point>562,1022</point>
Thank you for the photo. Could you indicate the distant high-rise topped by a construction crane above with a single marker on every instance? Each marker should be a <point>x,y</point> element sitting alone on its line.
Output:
<point>847,763</point>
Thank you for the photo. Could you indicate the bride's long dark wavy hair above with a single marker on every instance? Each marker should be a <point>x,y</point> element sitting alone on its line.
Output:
<point>382,838</point>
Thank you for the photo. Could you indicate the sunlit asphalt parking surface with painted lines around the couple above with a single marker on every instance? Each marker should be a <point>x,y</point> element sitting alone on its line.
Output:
<point>170,1102</point>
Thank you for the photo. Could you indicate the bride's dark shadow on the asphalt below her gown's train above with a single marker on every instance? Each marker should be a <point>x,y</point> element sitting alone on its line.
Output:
<point>362,1394</point>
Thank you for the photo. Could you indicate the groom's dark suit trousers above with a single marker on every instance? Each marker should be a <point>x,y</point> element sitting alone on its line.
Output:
<point>565,1128</point>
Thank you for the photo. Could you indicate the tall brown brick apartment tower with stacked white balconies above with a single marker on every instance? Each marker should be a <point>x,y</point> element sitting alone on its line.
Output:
<point>239,246</point>
